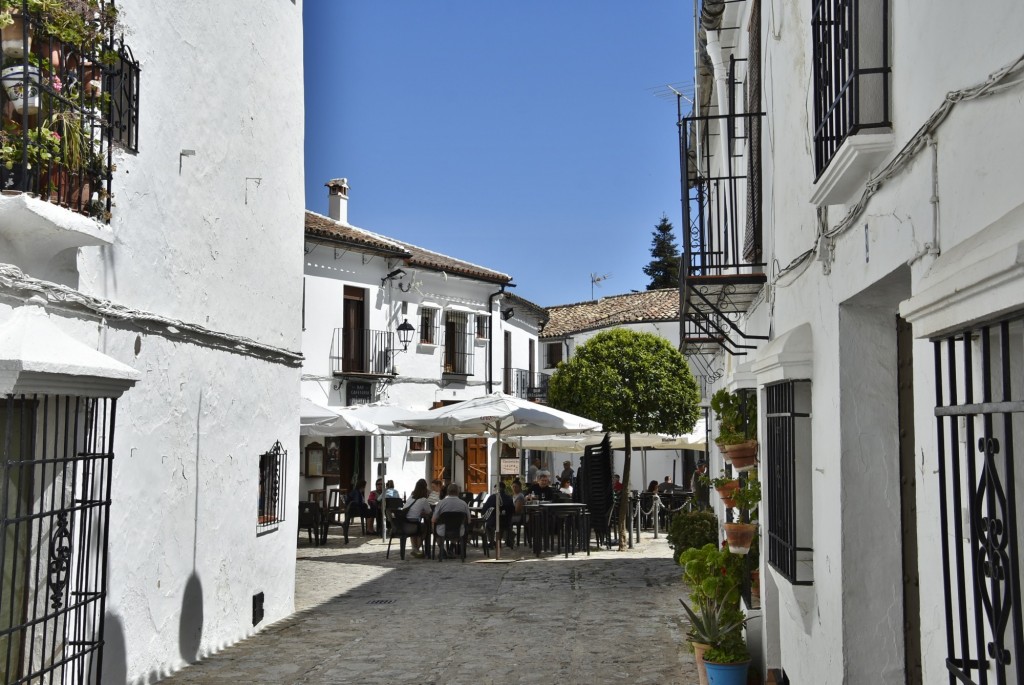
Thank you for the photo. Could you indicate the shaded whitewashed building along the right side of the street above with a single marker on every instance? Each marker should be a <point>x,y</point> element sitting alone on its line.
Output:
<point>852,256</point>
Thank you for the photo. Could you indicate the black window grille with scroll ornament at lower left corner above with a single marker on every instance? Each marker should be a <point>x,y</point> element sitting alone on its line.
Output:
<point>57,459</point>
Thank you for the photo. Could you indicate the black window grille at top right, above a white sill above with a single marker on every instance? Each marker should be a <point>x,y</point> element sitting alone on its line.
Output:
<point>851,72</point>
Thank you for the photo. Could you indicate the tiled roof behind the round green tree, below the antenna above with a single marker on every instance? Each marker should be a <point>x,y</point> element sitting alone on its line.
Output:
<point>652,306</point>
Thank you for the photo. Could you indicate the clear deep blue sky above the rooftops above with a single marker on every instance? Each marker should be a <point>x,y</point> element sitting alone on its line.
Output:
<point>524,137</point>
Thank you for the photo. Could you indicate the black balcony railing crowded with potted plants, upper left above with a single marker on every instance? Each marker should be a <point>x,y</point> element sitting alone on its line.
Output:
<point>66,80</point>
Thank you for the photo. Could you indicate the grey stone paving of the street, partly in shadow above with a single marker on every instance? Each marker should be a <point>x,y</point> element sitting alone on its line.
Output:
<point>611,618</point>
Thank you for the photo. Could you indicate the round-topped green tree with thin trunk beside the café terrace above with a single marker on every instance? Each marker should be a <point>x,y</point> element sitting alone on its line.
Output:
<point>631,382</point>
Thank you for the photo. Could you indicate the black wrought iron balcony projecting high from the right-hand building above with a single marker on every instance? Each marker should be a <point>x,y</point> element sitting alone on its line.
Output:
<point>722,272</point>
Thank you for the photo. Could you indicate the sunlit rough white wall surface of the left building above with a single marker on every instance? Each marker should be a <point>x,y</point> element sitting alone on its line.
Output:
<point>214,240</point>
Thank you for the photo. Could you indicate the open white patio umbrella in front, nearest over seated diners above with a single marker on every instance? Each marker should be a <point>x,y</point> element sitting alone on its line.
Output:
<point>498,416</point>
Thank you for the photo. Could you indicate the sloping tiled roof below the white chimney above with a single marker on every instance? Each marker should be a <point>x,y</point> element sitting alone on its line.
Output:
<point>362,240</point>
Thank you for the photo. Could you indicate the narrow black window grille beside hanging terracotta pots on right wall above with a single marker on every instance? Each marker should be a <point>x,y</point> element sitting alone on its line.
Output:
<point>788,434</point>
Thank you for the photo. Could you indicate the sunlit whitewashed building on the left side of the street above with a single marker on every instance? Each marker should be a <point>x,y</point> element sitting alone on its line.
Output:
<point>150,366</point>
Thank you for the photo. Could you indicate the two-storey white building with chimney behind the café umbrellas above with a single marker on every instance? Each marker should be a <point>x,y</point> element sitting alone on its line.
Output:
<point>468,336</point>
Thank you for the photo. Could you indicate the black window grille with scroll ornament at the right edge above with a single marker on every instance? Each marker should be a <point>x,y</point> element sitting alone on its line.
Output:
<point>979,412</point>
